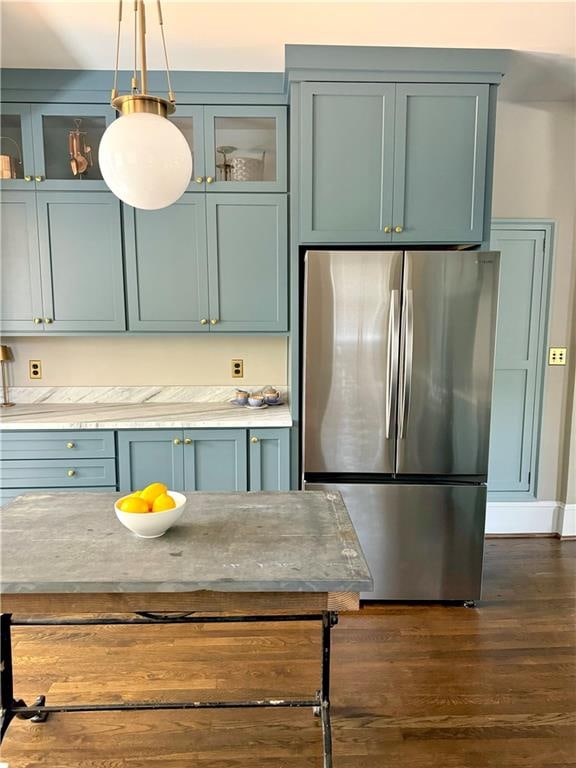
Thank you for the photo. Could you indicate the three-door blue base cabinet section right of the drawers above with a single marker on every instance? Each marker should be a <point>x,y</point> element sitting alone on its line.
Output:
<point>205,459</point>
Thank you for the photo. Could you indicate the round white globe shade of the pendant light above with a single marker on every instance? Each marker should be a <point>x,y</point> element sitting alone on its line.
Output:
<point>145,160</point>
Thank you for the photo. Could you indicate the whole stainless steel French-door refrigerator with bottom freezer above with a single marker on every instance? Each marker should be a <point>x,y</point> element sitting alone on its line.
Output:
<point>398,362</point>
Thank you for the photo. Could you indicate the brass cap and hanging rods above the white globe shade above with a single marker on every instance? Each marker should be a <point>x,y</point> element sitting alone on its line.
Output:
<point>139,100</point>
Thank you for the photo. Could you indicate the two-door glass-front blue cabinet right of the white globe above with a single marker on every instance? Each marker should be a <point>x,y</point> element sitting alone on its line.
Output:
<point>236,149</point>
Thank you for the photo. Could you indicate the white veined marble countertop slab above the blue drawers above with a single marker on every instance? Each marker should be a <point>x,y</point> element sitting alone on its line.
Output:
<point>141,415</point>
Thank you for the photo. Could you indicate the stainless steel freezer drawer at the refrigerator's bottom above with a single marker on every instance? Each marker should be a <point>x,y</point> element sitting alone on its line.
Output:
<point>422,542</point>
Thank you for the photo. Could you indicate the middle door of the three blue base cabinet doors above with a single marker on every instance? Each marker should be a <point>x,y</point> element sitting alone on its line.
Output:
<point>215,460</point>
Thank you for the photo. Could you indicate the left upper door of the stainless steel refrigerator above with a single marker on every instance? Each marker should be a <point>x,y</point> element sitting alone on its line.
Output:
<point>352,315</point>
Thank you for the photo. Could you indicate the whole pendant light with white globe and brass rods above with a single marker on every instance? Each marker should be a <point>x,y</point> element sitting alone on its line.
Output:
<point>144,158</point>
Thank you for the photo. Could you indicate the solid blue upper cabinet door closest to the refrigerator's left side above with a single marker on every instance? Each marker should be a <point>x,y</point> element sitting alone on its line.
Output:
<point>247,262</point>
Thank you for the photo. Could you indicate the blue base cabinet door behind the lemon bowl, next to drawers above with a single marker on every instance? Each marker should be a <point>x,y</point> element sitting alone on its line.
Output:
<point>150,455</point>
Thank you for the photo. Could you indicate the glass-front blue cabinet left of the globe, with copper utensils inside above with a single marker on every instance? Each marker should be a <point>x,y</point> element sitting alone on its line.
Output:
<point>55,145</point>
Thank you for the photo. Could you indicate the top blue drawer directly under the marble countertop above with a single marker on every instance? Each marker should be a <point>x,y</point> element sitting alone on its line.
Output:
<point>58,445</point>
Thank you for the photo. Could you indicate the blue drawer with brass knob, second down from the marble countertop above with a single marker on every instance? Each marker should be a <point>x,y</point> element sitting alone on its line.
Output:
<point>57,473</point>
